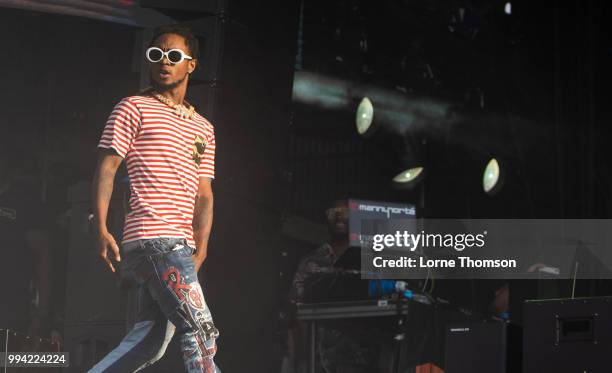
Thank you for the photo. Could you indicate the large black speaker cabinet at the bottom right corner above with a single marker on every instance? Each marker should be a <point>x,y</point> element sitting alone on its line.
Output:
<point>568,335</point>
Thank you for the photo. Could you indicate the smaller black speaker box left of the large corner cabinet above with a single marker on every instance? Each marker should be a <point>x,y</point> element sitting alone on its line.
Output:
<point>483,347</point>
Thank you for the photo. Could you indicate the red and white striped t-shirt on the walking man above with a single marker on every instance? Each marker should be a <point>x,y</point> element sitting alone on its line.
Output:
<point>162,162</point>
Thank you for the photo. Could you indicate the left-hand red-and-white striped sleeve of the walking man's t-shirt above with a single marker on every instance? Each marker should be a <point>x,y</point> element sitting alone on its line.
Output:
<point>121,128</point>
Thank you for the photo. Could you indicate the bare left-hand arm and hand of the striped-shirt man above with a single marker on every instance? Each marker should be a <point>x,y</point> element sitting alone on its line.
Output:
<point>102,189</point>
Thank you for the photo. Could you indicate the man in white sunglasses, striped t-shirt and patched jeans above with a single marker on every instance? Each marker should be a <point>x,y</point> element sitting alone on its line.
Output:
<point>169,152</point>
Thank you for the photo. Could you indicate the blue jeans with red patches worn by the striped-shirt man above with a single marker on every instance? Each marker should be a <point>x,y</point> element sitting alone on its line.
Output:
<point>169,301</point>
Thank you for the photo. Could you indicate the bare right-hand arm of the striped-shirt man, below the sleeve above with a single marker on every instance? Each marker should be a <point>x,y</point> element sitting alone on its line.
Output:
<point>202,220</point>
